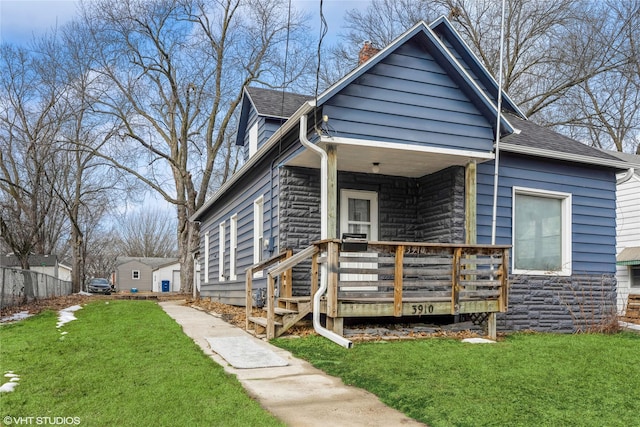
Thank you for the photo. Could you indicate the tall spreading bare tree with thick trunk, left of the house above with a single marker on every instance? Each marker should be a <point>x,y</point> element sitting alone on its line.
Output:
<point>173,73</point>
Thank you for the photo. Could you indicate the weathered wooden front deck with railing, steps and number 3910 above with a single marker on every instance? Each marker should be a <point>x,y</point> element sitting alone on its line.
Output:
<point>390,279</point>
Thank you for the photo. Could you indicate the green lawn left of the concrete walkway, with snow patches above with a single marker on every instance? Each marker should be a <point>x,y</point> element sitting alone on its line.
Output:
<point>122,363</point>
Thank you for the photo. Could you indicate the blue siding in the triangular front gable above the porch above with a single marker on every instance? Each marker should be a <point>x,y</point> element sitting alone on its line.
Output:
<point>409,98</point>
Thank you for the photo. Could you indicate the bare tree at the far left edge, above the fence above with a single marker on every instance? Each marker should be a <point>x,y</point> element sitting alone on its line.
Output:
<point>30,120</point>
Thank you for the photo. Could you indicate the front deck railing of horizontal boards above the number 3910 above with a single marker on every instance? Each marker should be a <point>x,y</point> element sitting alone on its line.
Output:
<point>407,272</point>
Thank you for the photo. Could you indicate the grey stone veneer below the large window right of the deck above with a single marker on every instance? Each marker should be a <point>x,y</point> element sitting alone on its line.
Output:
<point>559,304</point>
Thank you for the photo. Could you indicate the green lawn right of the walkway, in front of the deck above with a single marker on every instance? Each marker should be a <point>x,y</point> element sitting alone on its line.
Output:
<point>525,380</point>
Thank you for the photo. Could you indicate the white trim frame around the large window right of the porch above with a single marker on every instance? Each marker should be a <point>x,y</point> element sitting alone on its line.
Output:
<point>566,250</point>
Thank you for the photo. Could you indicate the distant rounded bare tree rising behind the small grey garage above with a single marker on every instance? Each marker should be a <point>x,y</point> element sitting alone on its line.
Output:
<point>147,233</point>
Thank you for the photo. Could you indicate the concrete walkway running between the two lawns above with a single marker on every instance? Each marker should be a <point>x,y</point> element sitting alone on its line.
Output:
<point>298,394</point>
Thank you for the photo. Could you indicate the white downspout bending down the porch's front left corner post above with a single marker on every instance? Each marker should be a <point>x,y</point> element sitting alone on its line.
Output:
<point>324,164</point>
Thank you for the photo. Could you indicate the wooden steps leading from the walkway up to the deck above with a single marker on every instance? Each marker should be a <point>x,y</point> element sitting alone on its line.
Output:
<point>287,313</point>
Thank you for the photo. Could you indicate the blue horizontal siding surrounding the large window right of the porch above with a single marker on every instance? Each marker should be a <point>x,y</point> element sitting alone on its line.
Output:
<point>593,205</point>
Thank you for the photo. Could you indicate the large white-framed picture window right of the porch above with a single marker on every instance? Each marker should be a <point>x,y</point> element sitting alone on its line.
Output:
<point>541,232</point>
